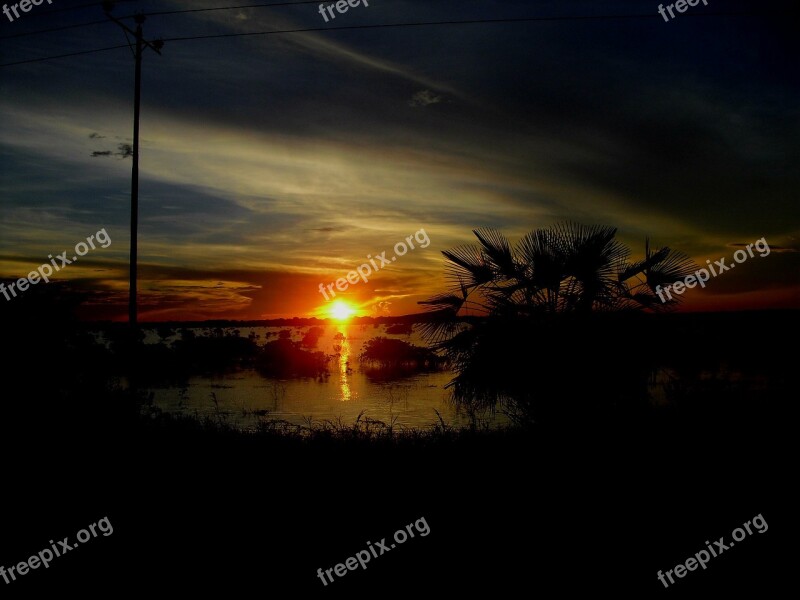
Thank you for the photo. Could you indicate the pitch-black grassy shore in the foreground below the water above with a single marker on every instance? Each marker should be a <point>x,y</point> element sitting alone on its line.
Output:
<point>593,506</point>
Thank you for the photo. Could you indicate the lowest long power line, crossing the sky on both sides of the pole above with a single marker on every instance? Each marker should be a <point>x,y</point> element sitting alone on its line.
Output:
<point>390,25</point>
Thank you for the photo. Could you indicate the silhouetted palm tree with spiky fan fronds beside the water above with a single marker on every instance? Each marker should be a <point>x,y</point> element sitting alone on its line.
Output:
<point>547,308</point>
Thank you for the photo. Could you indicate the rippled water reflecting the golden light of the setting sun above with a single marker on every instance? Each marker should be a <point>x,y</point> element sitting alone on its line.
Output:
<point>246,397</point>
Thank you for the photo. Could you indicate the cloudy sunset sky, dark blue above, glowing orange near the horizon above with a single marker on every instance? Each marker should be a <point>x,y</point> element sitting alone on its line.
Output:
<point>273,163</point>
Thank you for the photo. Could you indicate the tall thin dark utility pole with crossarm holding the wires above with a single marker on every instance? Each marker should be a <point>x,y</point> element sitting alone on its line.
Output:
<point>156,46</point>
